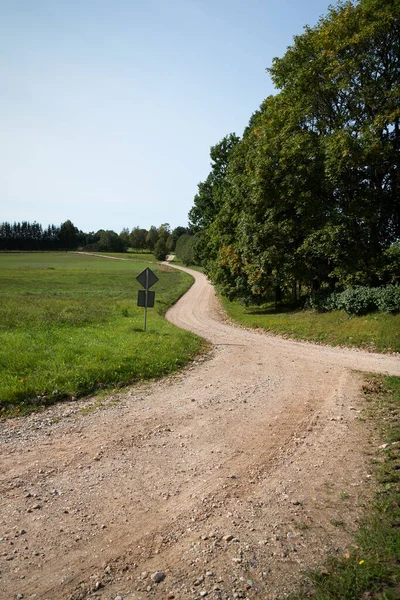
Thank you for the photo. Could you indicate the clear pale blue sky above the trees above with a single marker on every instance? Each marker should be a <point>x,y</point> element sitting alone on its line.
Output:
<point>108,108</point>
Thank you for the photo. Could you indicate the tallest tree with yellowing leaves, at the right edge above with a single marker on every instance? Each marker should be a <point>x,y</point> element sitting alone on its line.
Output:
<point>345,73</point>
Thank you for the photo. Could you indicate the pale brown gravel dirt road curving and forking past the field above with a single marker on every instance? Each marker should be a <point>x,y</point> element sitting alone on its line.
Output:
<point>224,481</point>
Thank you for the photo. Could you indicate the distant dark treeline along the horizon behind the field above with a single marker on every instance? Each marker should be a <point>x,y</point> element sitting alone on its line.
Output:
<point>26,236</point>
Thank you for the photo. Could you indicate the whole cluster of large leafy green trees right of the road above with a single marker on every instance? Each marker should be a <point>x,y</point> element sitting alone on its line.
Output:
<point>311,194</point>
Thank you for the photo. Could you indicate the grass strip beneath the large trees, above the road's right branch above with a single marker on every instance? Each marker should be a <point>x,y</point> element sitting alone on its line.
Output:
<point>377,331</point>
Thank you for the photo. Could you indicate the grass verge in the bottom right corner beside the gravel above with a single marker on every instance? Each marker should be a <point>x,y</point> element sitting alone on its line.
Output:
<point>371,567</point>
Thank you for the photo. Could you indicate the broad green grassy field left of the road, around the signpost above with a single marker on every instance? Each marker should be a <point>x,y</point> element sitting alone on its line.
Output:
<point>69,326</point>
